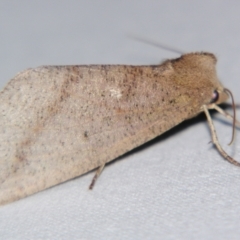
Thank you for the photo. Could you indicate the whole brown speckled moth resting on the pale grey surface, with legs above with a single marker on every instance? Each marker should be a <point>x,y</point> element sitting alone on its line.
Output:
<point>59,122</point>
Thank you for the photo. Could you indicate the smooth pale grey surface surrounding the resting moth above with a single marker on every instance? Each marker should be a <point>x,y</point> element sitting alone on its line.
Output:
<point>175,188</point>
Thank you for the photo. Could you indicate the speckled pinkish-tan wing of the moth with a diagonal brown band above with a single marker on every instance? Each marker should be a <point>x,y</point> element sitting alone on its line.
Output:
<point>57,123</point>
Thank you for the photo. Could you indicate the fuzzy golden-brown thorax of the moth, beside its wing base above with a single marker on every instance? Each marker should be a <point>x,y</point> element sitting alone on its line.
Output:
<point>196,75</point>
